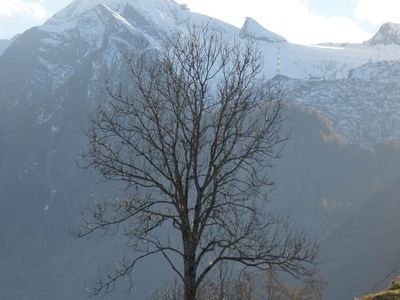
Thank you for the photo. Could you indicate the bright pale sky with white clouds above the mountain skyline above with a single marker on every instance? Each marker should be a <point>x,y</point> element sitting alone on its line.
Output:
<point>300,21</point>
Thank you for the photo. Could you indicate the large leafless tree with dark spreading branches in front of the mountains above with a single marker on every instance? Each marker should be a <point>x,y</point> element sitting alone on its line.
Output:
<point>193,137</point>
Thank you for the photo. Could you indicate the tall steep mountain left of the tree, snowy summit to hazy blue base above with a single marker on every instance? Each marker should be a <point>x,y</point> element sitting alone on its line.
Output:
<point>51,78</point>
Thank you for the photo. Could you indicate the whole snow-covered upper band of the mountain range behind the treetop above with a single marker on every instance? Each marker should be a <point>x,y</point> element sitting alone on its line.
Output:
<point>66,59</point>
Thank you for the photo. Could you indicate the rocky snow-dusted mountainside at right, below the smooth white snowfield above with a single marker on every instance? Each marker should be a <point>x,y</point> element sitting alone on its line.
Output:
<point>364,108</point>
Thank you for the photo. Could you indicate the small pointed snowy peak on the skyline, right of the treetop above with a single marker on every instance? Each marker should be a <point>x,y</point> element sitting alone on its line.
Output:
<point>252,29</point>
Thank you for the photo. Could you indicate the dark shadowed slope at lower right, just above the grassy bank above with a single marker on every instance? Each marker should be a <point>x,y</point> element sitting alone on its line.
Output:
<point>367,257</point>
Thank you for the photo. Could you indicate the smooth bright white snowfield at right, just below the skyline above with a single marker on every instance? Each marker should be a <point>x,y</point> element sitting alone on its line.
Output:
<point>305,62</point>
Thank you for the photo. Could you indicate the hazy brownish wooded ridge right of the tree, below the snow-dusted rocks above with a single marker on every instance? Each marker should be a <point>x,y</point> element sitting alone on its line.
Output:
<point>330,178</point>
